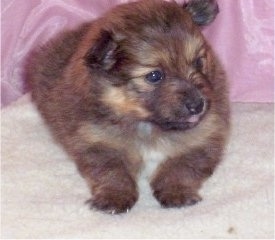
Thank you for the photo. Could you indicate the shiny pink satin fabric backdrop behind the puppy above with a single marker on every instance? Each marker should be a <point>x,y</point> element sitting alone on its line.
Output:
<point>242,35</point>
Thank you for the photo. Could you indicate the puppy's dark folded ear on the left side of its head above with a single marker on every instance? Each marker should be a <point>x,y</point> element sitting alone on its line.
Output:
<point>102,54</point>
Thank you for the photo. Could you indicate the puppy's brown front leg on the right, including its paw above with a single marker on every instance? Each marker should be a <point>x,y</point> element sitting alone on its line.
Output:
<point>177,181</point>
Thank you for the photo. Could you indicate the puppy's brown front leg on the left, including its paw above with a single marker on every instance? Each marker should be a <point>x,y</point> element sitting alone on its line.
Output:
<point>113,188</point>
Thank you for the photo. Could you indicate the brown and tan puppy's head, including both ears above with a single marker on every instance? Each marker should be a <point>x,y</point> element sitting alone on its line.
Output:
<point>156,64</point>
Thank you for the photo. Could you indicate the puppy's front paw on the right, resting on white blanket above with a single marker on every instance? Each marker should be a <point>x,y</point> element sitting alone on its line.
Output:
<point>176,196</point>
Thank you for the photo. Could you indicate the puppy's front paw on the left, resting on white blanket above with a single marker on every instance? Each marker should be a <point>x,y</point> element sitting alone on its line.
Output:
<point>114,201</point>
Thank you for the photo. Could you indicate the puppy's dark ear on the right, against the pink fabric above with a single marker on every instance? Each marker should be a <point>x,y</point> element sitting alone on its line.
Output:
<point>203,12</point>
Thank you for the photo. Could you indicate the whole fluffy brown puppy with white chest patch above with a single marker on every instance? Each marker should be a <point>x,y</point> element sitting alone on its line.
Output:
<point>138,87</point>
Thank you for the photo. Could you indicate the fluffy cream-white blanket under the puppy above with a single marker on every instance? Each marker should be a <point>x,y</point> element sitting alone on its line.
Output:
<point>43,196</point>
